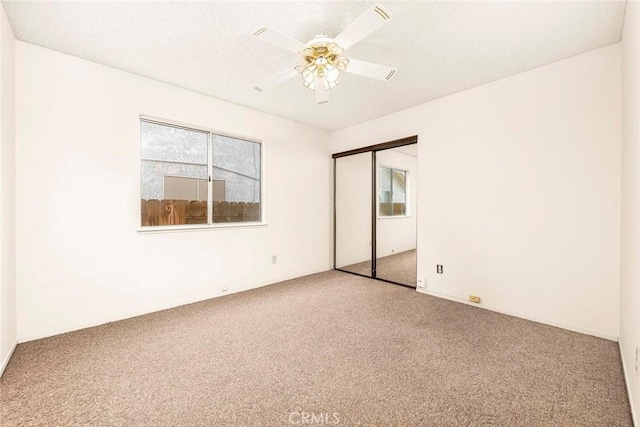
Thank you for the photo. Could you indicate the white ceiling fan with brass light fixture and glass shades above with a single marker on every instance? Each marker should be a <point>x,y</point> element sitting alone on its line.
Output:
<point>322,56</point>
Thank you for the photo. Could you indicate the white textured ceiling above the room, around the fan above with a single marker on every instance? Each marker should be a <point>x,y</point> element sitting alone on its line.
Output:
<point>439,48</point>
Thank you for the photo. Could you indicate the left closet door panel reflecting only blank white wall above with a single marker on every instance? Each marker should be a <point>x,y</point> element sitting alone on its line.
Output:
<point>353,176</point>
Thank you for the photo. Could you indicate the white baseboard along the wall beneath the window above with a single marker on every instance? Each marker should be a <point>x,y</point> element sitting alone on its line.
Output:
<point>102,321</point>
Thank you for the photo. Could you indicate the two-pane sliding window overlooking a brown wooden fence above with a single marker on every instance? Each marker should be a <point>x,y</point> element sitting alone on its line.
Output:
<point>191,176</point>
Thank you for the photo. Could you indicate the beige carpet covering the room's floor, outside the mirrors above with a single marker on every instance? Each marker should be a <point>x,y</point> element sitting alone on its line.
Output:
<point>335,346</point>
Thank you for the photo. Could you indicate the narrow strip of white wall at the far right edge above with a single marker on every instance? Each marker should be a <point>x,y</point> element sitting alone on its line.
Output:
<point>630,244</point>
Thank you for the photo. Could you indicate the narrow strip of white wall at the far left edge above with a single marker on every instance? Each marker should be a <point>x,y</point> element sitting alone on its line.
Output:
<point>7,193</point>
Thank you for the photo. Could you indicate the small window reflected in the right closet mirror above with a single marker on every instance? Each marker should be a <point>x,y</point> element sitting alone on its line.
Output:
<point>392,192</point>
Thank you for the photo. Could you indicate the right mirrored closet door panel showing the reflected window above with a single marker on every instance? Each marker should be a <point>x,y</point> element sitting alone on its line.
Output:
<point>396,215</point>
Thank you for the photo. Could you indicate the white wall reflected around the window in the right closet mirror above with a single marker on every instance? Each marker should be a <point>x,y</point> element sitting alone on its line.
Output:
<point>398,234</point>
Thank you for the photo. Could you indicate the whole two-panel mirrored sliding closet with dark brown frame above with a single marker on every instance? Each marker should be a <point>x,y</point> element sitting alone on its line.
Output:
<point>375,211</point>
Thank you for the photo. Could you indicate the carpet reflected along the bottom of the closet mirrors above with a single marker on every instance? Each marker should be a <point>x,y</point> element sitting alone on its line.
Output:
<point>400,268</point>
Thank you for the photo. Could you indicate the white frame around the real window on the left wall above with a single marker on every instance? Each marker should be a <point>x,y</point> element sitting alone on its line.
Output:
<point>210,134</point>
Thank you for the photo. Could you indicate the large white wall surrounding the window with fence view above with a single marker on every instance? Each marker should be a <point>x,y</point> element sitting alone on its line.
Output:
<point>81,260</point>
